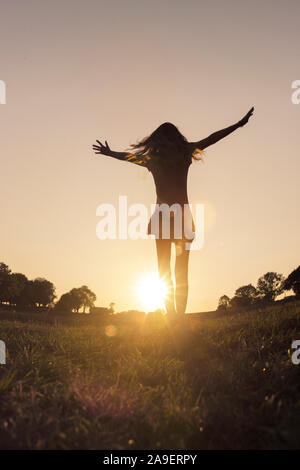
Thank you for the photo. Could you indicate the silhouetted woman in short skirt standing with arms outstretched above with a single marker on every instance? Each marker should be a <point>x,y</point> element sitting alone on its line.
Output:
<point>167,155</point>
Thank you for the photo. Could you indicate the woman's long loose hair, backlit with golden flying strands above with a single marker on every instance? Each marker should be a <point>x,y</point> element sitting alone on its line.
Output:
<point>164,145</point>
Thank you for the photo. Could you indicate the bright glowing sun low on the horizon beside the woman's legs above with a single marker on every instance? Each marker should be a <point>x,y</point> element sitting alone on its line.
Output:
<point>152,292</point>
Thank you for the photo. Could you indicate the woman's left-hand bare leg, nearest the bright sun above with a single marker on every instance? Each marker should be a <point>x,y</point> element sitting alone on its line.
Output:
<point>163,248</point>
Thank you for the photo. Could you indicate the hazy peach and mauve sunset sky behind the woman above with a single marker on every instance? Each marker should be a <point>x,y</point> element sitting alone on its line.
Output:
<point>77,71</point>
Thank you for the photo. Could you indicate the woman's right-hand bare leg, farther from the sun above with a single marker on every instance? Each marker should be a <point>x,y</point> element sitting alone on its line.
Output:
<point>181,276</point>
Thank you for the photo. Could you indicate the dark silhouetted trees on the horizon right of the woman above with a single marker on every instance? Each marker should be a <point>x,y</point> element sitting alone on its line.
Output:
<point>269,286</point>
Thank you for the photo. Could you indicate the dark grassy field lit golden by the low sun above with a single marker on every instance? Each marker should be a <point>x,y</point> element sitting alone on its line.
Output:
<point>220,383</point>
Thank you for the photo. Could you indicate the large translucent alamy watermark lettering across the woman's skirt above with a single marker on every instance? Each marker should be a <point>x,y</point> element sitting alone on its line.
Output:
<point>167,221</point>
